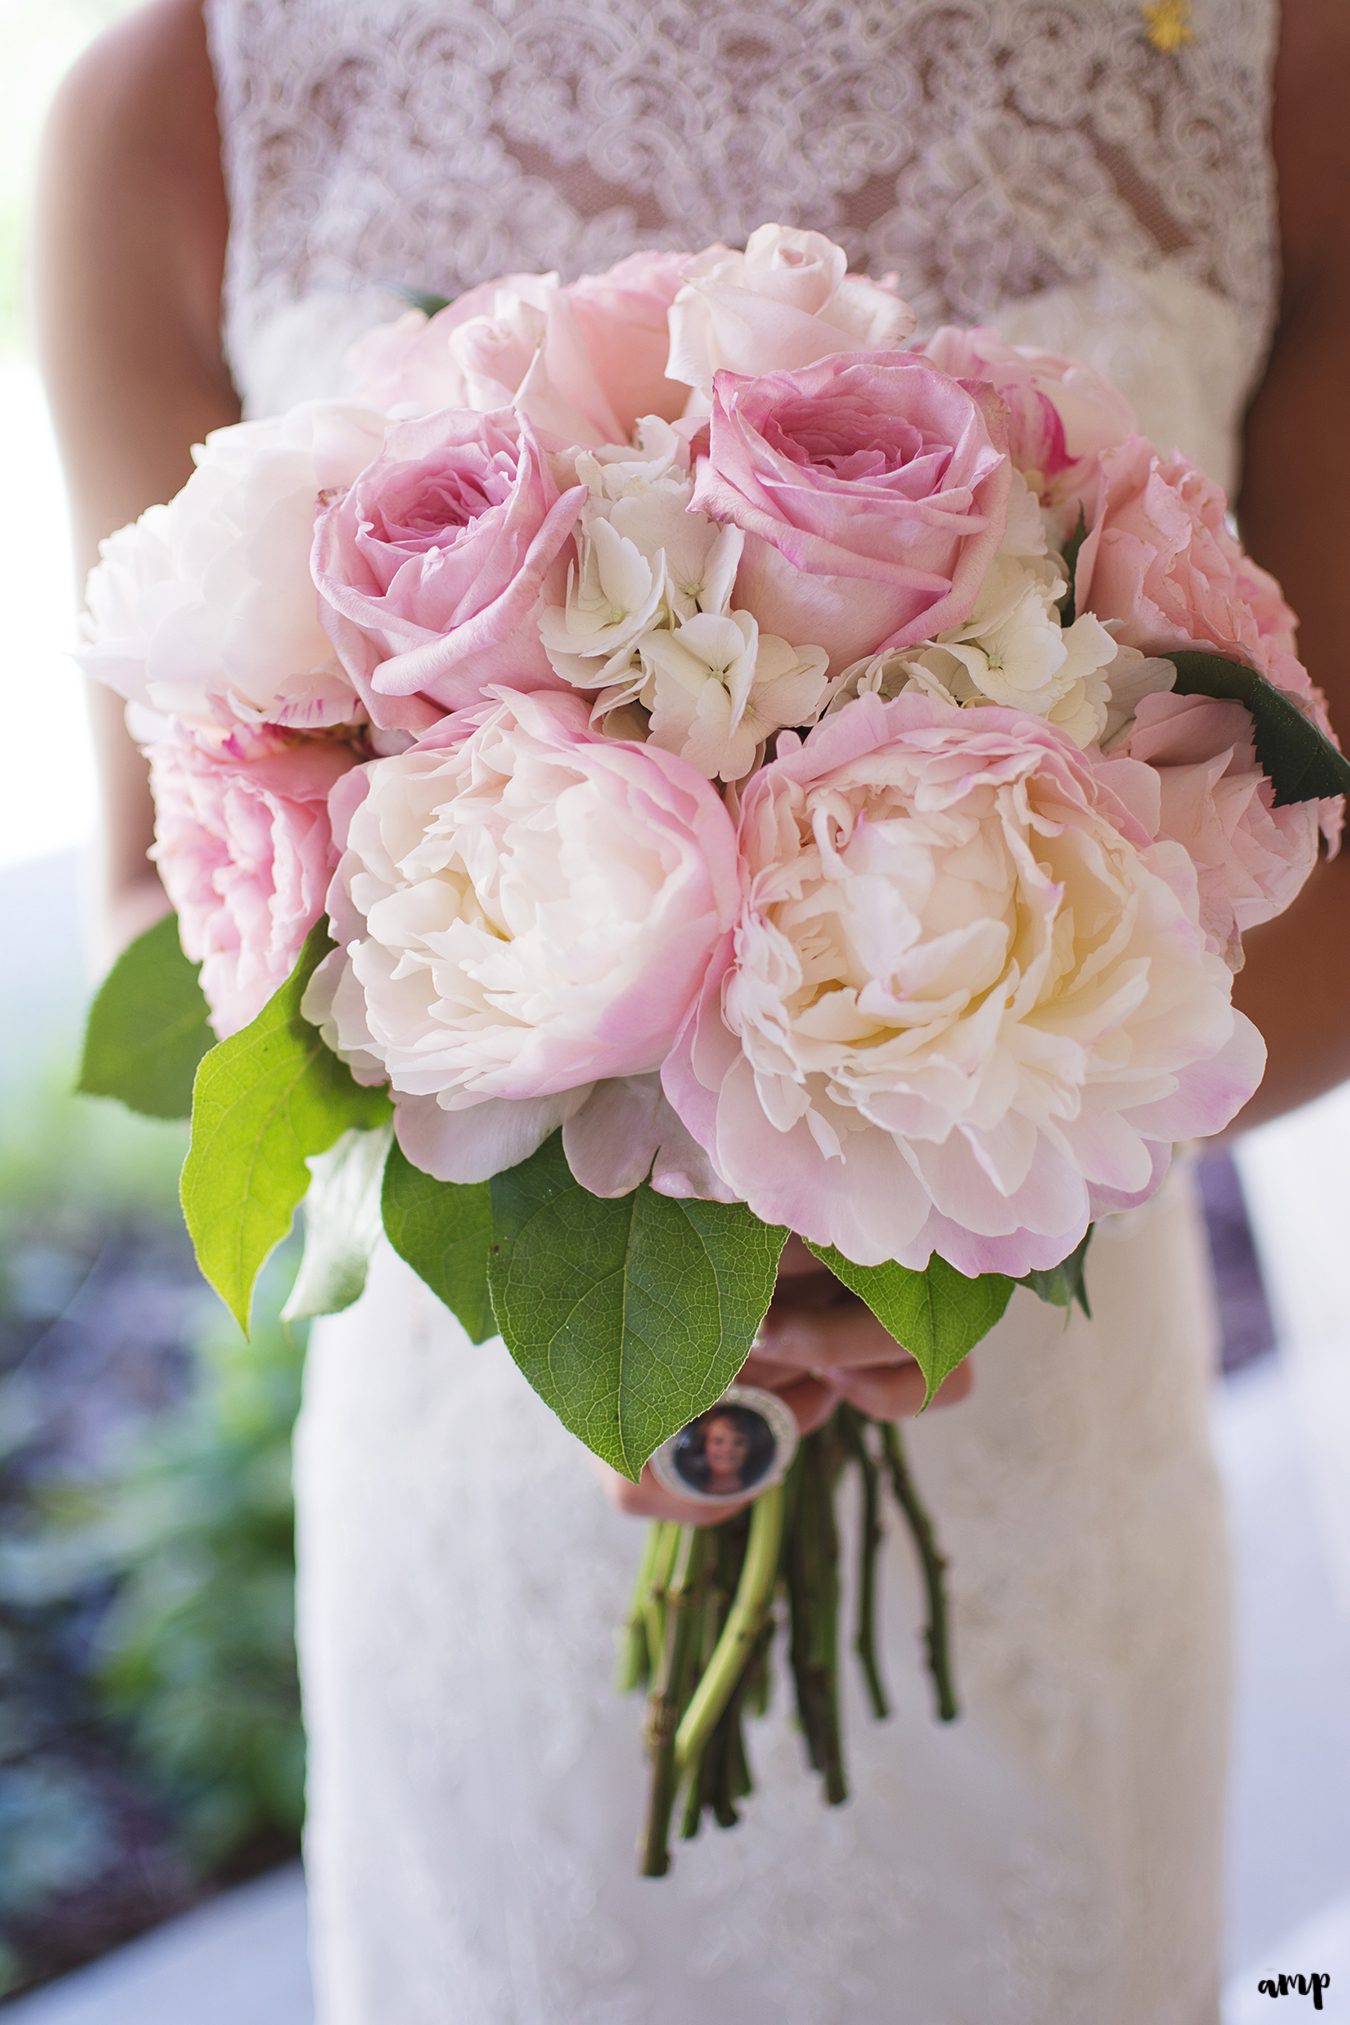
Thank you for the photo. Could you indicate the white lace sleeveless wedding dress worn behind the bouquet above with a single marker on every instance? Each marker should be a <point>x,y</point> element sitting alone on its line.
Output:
<point>475,1789</point>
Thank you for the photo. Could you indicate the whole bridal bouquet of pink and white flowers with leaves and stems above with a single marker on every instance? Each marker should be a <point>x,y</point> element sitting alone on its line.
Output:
<point>673,762</point>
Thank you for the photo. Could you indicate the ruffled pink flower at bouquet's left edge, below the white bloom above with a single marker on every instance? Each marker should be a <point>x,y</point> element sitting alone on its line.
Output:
<point>246,854</point>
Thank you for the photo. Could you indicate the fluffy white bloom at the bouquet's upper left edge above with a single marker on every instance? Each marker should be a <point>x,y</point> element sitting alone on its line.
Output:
<point>205,609</point>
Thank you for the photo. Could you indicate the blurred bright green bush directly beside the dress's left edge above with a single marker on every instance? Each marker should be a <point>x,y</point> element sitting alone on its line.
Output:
<point>197,1647</point>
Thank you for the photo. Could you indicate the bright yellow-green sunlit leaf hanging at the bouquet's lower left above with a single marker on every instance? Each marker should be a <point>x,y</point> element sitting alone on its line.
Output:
<point>264,1103</point>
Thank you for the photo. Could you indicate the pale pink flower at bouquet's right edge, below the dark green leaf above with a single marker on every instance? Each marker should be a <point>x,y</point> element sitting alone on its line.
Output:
<point>1252,858</point>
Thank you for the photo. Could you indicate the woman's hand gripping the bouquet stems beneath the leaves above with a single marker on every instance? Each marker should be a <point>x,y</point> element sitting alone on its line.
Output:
<point>819,1346</point>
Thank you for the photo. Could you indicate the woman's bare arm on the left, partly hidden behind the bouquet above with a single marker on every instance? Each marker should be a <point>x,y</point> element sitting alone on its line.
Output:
<point>131,248</point>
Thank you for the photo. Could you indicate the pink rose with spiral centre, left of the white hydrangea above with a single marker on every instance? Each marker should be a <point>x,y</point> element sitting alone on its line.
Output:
<point>432,564</point>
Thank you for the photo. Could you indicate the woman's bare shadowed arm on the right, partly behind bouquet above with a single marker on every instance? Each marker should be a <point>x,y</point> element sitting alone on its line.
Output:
<point>1296,521</point>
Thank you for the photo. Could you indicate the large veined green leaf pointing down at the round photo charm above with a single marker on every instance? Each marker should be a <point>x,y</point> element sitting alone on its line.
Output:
<point>628,1317</point>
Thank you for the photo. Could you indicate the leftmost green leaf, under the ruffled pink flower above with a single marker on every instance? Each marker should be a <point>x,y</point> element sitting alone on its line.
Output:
<point>147,1028</point>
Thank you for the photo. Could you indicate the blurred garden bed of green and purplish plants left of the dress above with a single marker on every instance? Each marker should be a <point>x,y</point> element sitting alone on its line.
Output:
<point>149,1710</point>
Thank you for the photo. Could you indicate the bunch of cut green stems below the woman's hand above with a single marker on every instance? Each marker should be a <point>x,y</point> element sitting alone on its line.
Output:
<point>705,1611</point>
